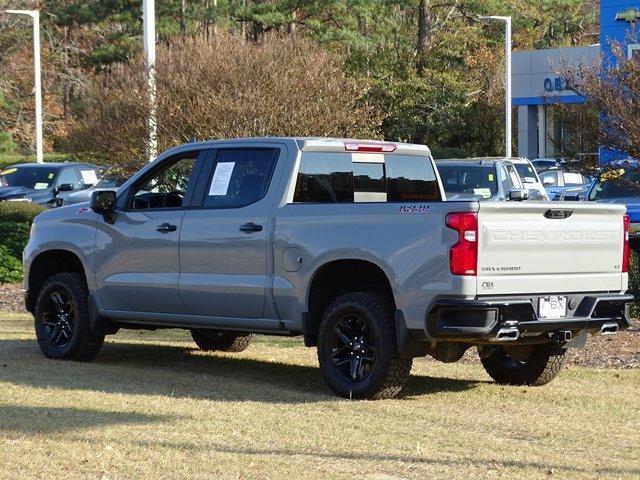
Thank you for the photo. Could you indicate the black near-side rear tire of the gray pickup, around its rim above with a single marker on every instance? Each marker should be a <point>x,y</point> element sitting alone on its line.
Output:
<point>389,373</point>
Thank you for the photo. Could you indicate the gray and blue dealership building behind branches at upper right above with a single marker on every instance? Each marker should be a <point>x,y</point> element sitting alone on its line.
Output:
<point>536,87</point>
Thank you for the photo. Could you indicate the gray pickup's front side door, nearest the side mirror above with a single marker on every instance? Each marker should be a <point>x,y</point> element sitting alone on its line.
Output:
<point>137,257</point>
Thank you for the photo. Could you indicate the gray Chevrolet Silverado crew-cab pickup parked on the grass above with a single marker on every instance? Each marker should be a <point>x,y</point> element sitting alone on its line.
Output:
<point>349,243</point>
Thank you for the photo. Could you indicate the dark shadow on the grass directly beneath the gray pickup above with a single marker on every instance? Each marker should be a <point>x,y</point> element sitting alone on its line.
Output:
<point>167,370</point>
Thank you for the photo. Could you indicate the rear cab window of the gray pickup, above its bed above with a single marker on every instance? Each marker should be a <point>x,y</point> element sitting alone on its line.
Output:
<point>332,177</point>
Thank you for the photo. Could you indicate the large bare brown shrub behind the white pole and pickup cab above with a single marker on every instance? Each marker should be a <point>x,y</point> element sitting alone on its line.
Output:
<point>224,88</point>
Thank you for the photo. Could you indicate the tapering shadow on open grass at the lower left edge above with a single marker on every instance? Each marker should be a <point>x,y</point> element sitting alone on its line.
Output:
<point>42,420</point>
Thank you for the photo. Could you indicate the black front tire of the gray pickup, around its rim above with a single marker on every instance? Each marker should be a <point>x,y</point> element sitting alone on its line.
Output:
<point>83,345</point>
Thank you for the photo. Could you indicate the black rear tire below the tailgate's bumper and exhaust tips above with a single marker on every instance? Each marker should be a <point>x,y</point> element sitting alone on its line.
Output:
<point>539,368</point>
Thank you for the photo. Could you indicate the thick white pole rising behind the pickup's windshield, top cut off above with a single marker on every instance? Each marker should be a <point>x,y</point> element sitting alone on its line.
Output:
<point>149,42</point>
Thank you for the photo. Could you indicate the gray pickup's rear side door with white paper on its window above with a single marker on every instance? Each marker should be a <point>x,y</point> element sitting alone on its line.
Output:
<point>223,246</point>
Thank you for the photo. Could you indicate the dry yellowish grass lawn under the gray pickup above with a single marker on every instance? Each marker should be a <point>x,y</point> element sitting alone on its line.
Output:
<point>151,407</point>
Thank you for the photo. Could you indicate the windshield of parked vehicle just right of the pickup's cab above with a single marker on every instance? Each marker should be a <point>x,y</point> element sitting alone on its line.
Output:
<point>470,179</point>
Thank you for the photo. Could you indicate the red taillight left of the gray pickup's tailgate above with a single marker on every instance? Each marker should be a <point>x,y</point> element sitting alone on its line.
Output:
<point>463,256</point>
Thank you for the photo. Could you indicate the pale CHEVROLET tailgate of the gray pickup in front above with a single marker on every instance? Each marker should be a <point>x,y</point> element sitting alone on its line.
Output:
<point>536,247</point>
